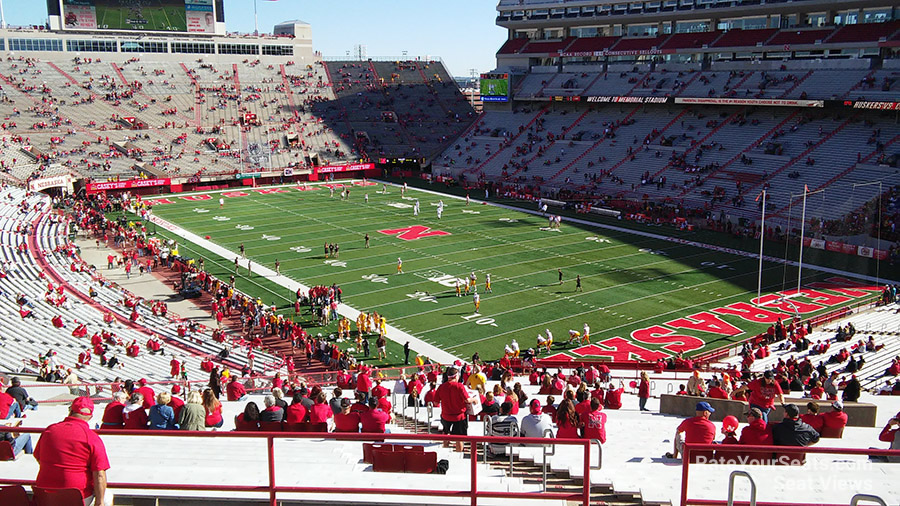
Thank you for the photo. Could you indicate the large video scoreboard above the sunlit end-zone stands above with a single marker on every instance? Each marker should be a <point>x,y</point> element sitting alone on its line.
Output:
<point>190,16</point>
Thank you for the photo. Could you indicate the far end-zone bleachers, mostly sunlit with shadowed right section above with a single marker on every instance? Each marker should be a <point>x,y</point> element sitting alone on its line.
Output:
<point>181,103</point>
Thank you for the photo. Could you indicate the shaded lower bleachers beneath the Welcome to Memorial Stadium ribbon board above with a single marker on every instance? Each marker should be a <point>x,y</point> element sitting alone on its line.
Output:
<point>787,149</point>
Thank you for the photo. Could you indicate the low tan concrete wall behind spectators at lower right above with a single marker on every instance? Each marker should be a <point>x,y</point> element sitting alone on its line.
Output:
<point>859,414</point>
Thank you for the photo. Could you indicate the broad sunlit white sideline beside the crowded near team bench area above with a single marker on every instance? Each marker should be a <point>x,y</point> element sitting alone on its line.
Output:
<point>416,345</point>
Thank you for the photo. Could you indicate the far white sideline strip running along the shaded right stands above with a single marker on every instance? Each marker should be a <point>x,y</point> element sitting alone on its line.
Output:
<point>676,240</point>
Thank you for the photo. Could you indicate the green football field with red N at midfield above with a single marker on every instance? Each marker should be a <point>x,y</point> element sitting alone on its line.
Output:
<point>637,291</point>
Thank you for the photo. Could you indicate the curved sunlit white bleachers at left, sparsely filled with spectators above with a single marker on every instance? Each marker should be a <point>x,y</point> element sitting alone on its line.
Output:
<point>28,338</point>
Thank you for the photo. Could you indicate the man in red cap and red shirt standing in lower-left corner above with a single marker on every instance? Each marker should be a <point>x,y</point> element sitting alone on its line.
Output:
<point>71,455</point>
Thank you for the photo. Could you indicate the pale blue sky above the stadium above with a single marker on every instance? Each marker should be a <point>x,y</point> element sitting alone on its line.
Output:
<point>461,32</point>
